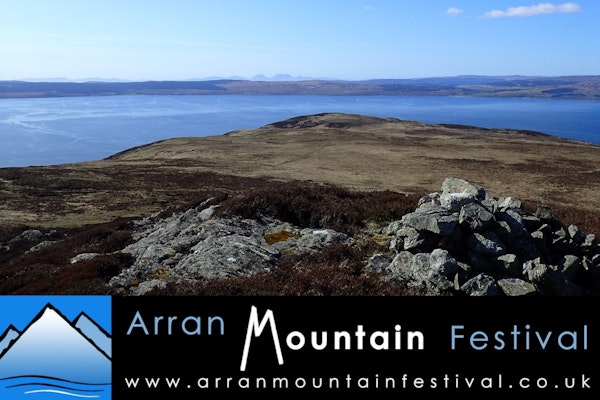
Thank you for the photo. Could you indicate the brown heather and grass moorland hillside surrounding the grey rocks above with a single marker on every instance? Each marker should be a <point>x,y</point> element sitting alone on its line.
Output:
<point>351,173</point>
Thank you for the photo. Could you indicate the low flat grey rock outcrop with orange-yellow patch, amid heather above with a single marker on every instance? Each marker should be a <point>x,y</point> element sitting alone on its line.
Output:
<point>194,245</point>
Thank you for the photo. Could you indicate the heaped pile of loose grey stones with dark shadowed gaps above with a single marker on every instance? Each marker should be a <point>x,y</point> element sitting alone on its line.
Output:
<point>462,240</point>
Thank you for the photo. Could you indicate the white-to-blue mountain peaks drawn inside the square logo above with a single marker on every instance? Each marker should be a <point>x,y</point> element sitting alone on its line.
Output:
<point>51,346</point>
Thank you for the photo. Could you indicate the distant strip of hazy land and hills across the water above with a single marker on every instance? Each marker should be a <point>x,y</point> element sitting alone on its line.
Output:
<point>564,87</point>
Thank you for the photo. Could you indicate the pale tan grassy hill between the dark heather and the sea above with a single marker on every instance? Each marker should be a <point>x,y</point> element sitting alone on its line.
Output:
<point>369,153</point>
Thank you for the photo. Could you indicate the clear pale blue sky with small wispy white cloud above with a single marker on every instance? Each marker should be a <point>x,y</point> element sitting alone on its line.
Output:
<point>345,39</point>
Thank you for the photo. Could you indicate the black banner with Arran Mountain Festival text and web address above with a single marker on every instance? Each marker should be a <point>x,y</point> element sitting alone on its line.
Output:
<point>190,347</point>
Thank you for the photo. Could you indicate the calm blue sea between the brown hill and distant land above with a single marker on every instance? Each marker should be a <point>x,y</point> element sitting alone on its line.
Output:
<point>49,131</point>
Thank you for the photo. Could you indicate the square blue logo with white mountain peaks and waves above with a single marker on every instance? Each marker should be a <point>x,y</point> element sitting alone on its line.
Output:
<point>54,347</point>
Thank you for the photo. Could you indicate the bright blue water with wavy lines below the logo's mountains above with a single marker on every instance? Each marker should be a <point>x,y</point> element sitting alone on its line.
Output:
<point>39,387</point>
